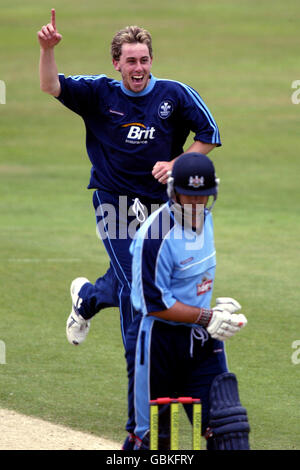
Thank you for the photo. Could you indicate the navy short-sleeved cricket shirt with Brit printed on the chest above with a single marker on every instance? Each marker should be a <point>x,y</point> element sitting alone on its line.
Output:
<point>127,133</point>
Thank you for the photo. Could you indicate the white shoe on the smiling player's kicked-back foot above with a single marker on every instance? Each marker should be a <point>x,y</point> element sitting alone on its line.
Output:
<point>77,327</point>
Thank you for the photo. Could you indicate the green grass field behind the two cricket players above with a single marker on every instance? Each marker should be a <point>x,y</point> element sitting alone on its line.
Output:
<point>242,56</point>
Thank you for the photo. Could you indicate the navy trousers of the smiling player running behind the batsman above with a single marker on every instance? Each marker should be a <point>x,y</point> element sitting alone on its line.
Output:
<point>116,226</point>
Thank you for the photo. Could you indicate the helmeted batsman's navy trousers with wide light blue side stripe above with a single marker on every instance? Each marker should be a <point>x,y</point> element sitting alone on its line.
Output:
<point>173,361</point>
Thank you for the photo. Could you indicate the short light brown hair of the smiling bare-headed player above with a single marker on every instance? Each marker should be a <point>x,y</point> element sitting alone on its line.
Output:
<point>130,34</point>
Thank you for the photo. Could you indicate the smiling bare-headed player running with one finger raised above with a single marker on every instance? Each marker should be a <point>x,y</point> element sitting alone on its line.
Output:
<point>135,128</point>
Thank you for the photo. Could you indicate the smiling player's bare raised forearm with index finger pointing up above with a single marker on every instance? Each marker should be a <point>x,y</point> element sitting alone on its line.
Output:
<point>48,38</point>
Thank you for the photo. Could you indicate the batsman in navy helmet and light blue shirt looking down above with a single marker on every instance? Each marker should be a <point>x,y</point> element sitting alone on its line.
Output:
<point>180,345</point>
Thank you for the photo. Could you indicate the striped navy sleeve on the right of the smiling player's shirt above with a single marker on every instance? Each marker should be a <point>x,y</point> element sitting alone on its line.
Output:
<point>198,116</point>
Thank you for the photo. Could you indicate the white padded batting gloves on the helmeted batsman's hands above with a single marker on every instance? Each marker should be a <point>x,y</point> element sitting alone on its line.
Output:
<point>224,322</point>
